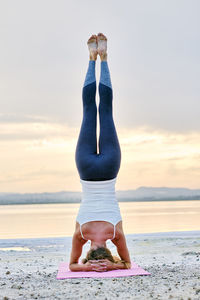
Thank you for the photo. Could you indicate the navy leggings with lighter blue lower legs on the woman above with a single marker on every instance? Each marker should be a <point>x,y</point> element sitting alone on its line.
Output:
<point>93,166</point>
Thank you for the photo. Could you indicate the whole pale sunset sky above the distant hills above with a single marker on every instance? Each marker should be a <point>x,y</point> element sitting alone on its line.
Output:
<point>154,58</point>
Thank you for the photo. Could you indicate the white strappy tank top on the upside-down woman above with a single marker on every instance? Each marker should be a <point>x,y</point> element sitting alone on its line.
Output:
<point>98,203</point>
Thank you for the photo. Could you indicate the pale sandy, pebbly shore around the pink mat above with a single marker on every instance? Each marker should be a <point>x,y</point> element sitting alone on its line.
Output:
<point>28,269</point>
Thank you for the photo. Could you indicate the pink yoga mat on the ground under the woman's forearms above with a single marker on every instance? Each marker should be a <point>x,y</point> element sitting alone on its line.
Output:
<point>64,272</point>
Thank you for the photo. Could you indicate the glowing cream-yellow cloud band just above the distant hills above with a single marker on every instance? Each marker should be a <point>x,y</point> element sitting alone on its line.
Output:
<point>42,158</point>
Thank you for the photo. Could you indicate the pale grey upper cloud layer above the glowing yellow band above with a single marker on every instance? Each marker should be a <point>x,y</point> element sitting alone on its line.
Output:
<point>153,57</point>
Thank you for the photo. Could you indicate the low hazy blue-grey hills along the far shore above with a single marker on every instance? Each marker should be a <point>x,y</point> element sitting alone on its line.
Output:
<point>140,194</point>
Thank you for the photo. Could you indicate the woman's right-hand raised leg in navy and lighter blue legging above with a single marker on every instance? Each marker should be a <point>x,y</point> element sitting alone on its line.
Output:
<point>109,147</point>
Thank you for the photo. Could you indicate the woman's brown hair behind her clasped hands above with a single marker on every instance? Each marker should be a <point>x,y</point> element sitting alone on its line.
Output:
<point>100,253</point>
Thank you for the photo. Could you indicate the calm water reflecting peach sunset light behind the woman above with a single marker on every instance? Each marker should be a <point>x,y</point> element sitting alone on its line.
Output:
<point>54,220</point>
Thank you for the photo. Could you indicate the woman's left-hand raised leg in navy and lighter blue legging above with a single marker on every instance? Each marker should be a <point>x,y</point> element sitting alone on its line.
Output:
<point>86,148</point>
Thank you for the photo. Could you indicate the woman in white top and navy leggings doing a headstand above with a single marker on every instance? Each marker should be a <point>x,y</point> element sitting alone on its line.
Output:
<point>99,217</point>
